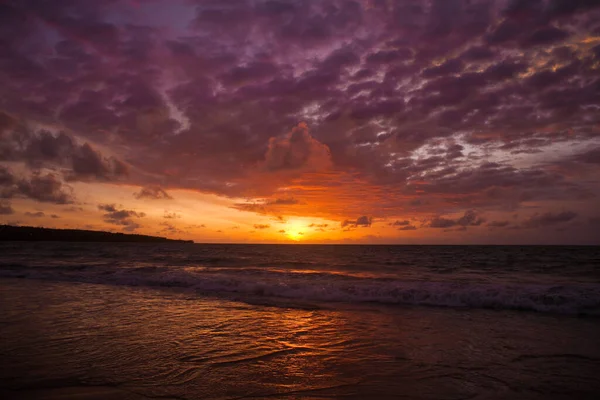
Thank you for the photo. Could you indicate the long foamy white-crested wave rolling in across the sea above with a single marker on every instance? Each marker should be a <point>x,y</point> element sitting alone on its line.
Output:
<point>326,287</point>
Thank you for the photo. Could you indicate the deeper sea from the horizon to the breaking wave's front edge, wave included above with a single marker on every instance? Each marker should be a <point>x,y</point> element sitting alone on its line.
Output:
<point>535,278</point>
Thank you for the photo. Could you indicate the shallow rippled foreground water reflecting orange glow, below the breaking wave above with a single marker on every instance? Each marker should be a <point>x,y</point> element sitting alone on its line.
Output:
<point>149,343</point>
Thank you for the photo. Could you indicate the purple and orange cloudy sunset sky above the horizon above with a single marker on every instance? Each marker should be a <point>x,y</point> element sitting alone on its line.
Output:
<point>304,121</point>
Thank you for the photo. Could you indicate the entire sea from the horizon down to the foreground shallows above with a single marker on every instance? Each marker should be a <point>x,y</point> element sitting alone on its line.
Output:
<point>198,321</point>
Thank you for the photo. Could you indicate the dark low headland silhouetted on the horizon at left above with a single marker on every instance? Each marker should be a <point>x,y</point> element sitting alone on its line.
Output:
<point>34,234</point>
